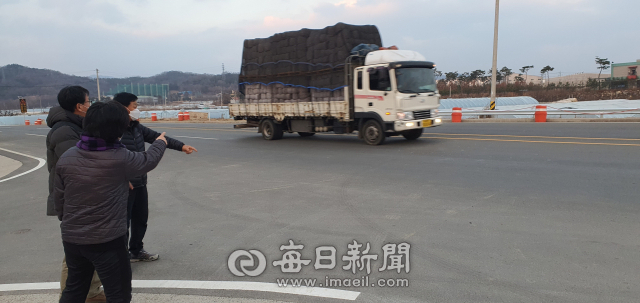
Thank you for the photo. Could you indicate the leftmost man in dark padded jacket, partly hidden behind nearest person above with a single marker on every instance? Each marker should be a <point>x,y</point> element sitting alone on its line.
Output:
<point>65,122</point>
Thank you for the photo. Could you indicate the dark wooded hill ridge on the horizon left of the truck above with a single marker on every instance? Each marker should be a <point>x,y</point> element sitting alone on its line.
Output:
<point>44,84</point>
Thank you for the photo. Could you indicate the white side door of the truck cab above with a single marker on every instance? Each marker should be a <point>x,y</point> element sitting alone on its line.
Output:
<point>374,91</point>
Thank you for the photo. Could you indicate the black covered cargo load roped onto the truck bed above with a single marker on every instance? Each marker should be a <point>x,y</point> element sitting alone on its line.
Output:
<point>304,65</point>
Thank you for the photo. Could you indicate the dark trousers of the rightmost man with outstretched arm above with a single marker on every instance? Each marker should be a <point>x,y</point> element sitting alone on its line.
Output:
<point>137,217</point>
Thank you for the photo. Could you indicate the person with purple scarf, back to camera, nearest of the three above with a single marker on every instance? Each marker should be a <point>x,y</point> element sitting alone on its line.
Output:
<point>90,196</point>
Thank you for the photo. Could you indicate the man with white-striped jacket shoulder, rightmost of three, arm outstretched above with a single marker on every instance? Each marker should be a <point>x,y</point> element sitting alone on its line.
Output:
<point>134,138</point>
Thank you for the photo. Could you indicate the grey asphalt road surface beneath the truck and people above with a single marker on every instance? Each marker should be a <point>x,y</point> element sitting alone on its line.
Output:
<point>493,212</point>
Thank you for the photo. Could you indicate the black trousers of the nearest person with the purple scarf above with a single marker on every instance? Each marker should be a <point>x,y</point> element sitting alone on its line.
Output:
<point>110,260</point>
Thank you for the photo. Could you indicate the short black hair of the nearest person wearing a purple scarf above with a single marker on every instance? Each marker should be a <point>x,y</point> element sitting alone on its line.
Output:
<point>106,121</point>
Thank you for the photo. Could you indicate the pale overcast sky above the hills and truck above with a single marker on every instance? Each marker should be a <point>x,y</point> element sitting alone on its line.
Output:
<point>143,37</point>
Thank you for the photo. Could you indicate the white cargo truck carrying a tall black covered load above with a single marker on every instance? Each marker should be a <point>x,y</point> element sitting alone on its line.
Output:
<point>314,81</point>
